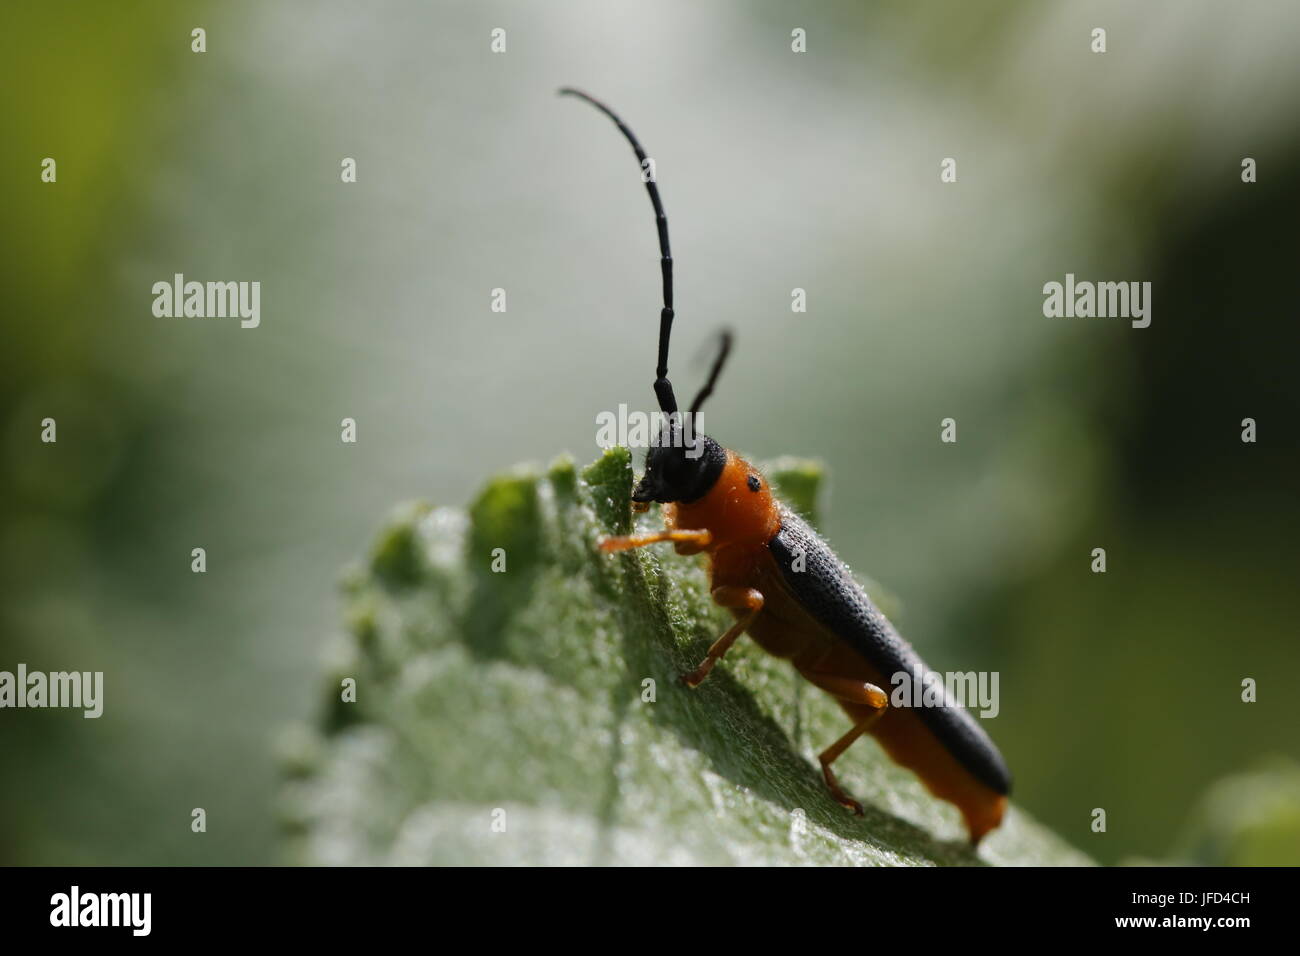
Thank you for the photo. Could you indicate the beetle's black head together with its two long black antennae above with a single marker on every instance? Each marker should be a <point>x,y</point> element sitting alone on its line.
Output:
<point>682,464</point>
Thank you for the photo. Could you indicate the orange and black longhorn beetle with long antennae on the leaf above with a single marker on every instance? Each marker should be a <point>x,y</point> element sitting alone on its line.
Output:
<point>792,595</point>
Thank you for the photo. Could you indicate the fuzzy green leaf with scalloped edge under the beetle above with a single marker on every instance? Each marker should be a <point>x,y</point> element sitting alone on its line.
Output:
<point>518,697</point>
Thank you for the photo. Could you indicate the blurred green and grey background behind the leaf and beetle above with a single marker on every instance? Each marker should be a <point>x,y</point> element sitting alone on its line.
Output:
<point>818,171</point>
